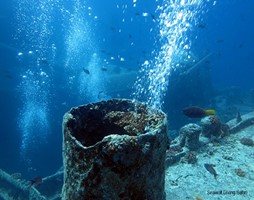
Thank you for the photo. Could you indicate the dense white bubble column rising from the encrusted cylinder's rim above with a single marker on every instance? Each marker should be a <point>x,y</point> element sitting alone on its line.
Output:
<point>177,17</point>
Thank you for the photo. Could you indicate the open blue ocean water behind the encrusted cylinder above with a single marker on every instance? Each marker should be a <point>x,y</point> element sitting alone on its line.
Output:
<point>60,54</point>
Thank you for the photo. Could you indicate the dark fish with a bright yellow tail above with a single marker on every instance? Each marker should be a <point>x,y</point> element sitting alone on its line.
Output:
<point>197,112</point>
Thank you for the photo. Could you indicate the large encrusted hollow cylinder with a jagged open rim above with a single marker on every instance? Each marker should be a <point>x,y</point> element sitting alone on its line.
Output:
<point>114,150</point>
